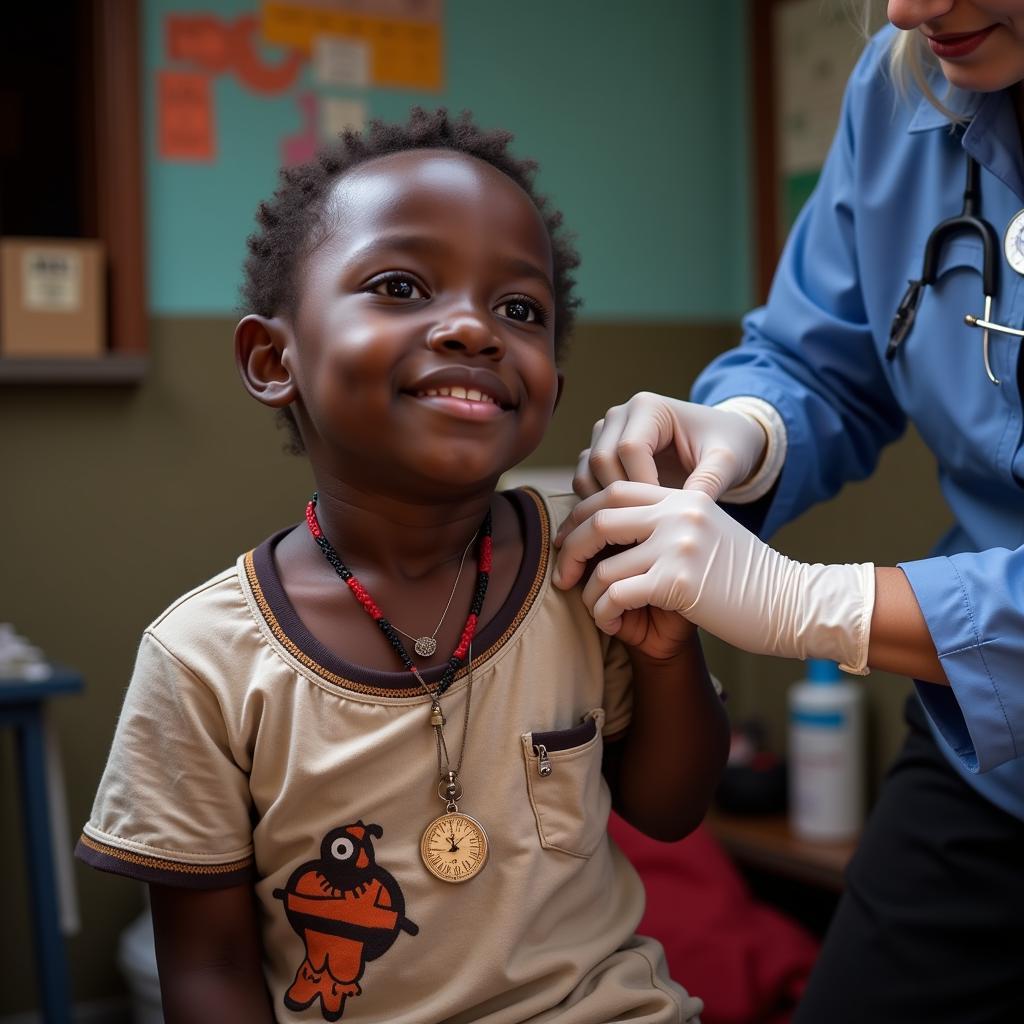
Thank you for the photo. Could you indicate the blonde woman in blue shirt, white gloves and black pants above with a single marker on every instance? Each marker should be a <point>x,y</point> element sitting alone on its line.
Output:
<point>931,925</point>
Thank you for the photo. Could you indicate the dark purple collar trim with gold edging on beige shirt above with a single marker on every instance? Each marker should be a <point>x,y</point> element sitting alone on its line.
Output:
<point>292,634</point>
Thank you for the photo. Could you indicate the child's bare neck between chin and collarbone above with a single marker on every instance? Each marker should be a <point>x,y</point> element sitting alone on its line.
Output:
<point>396,537</point>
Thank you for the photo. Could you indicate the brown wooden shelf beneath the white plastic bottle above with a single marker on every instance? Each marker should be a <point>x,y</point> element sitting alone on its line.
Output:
<point>769,844</point>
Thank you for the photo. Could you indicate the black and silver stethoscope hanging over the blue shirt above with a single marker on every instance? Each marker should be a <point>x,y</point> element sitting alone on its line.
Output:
<point>968,221</point>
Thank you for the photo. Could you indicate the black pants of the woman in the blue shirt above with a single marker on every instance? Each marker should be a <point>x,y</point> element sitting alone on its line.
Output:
<point>931,925</point>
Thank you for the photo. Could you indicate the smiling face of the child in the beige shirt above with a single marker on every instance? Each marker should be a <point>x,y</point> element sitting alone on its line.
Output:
<point>423,344</point>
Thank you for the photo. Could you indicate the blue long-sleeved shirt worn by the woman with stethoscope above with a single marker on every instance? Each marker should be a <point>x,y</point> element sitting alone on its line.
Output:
<point>817,353</point>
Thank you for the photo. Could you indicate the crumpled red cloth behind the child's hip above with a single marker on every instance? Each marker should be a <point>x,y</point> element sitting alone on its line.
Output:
<point>748,962</point>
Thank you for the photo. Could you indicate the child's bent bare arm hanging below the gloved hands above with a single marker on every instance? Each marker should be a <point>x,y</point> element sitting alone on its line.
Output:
<point>664,770</point>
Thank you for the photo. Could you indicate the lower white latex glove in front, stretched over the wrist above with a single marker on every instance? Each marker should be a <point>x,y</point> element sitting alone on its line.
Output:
<point>692,558</point>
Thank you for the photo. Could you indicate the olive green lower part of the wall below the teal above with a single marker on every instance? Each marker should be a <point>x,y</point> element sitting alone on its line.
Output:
<point>116,501</point>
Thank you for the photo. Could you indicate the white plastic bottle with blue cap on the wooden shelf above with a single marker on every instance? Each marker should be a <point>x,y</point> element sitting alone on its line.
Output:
<point>827,754</point>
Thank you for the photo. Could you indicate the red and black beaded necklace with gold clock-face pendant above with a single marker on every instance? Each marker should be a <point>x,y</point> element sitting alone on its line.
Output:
<point>454,846</point>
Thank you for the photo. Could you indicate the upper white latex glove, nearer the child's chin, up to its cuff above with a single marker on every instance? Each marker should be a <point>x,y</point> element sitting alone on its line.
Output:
<point>655,440</point>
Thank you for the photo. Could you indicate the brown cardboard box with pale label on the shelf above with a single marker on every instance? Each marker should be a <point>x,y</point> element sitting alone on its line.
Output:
<point>53,298</point>
